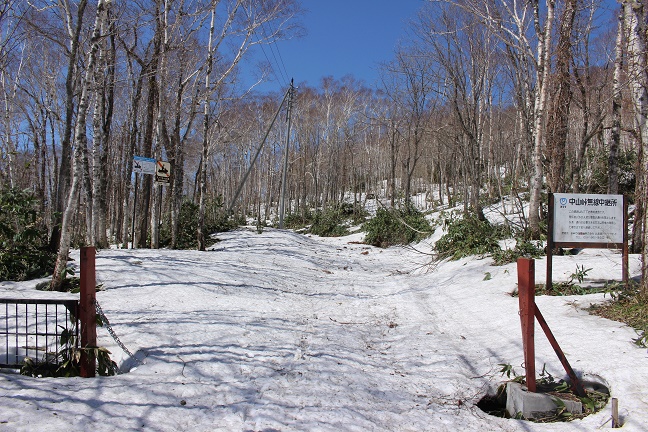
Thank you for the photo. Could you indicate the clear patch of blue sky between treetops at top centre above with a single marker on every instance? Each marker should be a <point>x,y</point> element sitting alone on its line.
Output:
<point>344,37</point>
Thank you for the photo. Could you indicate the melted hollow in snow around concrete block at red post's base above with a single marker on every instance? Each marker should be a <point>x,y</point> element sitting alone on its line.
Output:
<point>552,402</point>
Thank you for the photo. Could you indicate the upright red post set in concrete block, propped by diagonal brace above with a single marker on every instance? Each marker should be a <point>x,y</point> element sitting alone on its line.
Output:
<point>526,296</point>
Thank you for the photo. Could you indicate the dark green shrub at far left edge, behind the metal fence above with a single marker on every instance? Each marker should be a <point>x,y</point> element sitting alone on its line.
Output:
<point>24,250</point>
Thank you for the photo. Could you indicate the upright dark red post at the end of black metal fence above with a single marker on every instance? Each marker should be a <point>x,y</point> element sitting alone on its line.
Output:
<point>87,312</point>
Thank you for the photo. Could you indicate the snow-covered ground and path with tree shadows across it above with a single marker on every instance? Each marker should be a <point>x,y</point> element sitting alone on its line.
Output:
<point>283,332</point>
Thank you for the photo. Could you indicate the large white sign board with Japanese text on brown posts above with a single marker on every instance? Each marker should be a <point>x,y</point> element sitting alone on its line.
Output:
<point>588,218</point>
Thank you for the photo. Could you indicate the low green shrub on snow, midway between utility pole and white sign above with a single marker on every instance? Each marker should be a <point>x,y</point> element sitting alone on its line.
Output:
<point>396,226</point>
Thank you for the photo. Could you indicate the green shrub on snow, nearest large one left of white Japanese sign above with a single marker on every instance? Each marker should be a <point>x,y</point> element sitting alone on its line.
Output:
<point>468,236</point>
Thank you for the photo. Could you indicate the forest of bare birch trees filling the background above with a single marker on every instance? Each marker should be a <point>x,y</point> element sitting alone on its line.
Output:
<point>485,99</point>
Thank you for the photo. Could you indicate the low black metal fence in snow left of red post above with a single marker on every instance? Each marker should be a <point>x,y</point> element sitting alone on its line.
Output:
<point>38,329</point>
